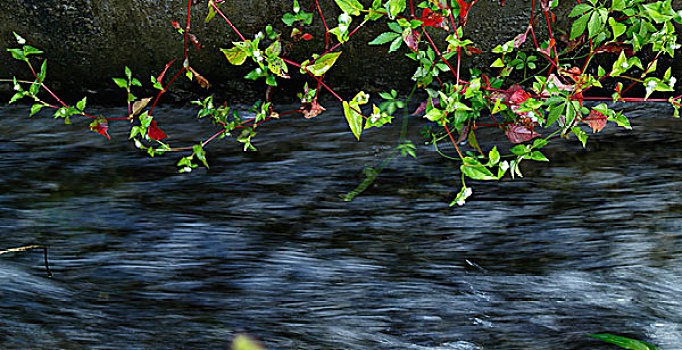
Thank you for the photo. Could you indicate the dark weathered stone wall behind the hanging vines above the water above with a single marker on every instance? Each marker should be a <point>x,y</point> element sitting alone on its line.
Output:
<point>87,42</point>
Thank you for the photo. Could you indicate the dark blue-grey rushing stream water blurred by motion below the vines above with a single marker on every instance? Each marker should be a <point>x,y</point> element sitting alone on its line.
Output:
<point>146,258</point>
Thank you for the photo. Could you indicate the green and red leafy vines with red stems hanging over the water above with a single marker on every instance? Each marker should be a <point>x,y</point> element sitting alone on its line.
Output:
<point>534,91</point>
